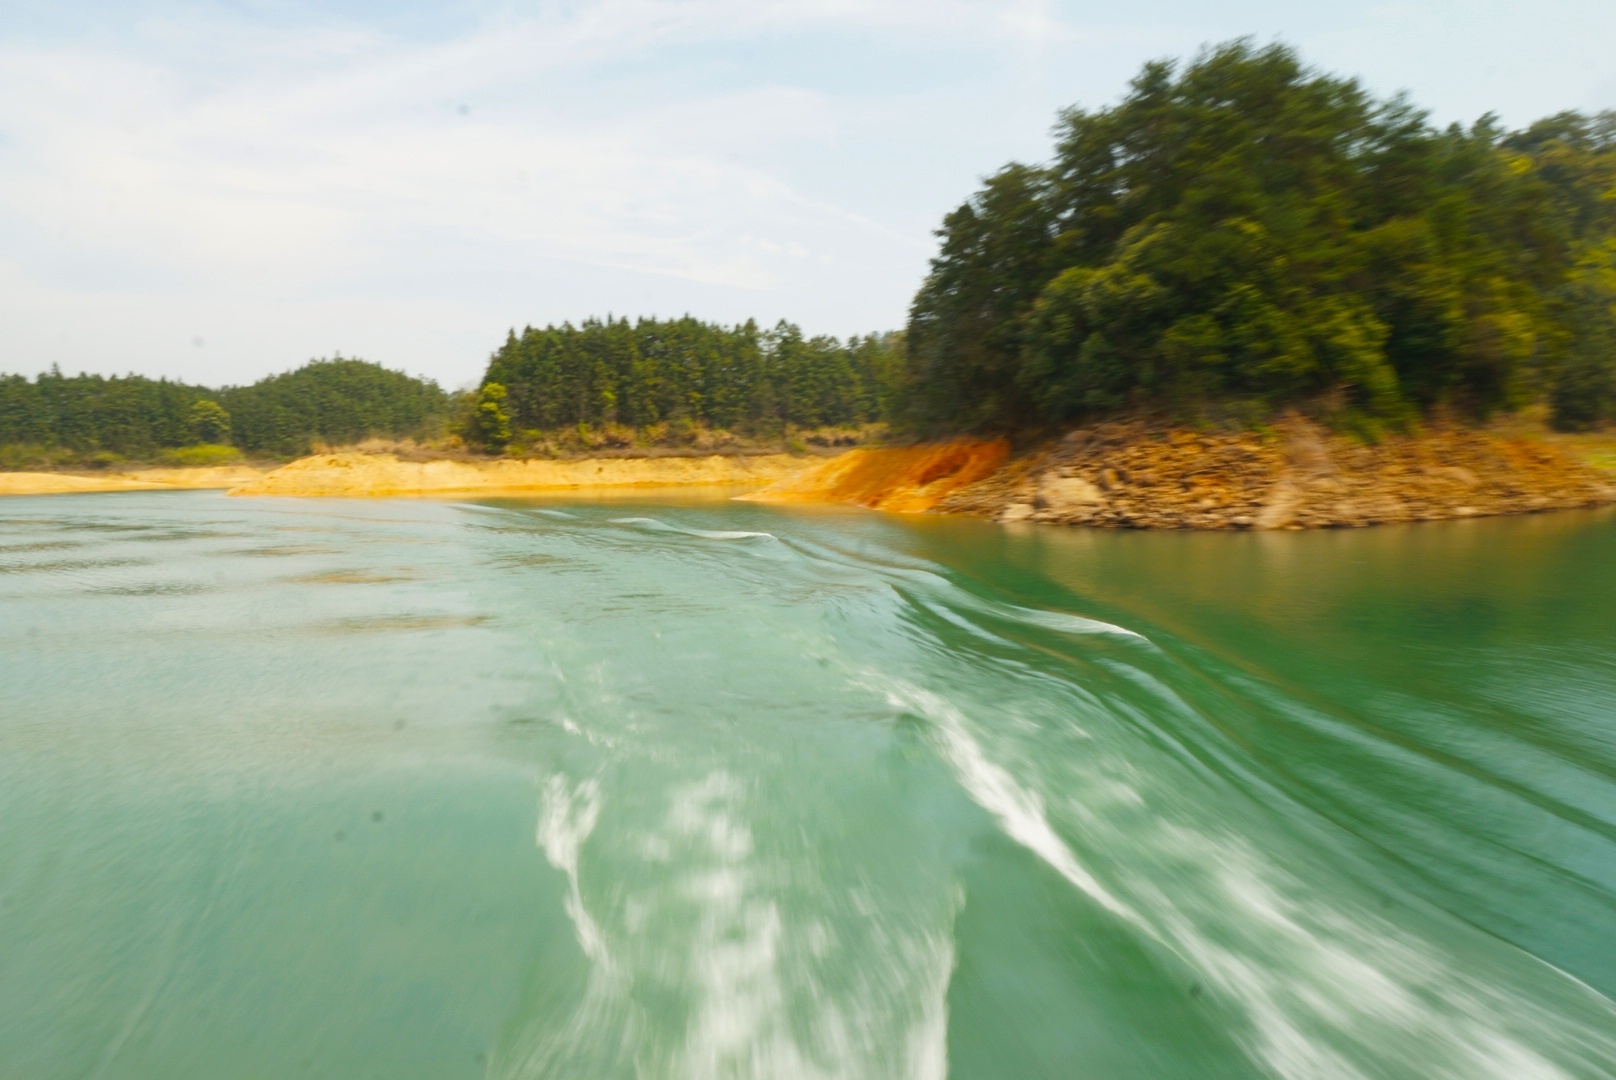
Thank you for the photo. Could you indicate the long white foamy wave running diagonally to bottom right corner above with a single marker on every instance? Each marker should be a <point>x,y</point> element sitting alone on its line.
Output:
<point>1328,989</point>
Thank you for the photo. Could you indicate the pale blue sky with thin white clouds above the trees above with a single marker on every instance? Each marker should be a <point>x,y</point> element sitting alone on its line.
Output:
<point>216,192</point>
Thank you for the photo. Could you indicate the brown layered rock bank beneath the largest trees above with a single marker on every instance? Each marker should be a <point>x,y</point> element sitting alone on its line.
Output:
<point>1134,476</point>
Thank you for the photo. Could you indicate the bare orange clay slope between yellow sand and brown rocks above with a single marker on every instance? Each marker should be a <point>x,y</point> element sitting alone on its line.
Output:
<point>901,479</point>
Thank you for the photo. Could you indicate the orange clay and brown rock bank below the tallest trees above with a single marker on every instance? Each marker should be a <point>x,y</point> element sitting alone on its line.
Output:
<point>1292,476</point>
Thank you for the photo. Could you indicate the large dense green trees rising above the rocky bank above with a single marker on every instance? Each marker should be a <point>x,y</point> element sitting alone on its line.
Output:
<point>1248,230</point>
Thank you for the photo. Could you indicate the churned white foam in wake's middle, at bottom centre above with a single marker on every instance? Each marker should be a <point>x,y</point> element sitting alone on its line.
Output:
<point>710,922</point>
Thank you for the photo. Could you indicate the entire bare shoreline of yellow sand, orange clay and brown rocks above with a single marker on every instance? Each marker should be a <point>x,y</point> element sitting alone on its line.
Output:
<point>1114,476</point>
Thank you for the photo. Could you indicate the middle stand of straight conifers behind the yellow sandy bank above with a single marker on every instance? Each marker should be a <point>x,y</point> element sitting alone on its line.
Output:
<point>654,373</point>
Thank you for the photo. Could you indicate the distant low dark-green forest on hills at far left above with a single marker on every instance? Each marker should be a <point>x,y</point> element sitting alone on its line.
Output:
<point>90,418</point>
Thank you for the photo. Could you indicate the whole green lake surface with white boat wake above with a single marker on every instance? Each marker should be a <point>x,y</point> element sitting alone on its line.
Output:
<point>713,790</point>
